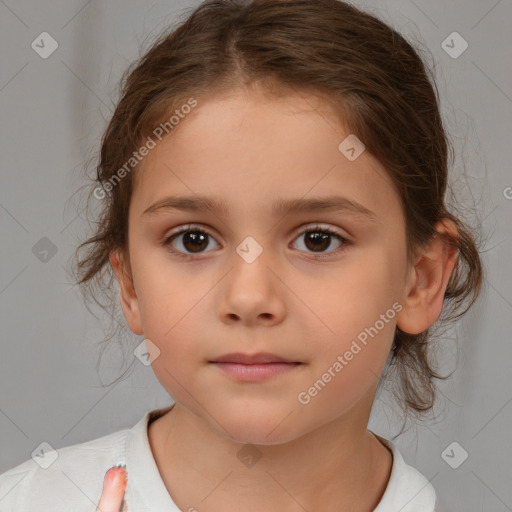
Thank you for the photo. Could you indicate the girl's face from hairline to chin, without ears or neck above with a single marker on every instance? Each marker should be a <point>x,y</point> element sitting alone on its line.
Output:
<point>250,152</point>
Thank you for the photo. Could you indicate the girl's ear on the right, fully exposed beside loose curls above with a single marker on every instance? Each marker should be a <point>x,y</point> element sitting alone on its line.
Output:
<point>427,282</point>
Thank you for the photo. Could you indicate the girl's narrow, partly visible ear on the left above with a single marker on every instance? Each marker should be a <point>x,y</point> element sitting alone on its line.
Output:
<point>129,301</point>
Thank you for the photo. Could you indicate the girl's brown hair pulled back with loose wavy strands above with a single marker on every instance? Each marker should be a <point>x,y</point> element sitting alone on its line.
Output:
<point>367,71</point>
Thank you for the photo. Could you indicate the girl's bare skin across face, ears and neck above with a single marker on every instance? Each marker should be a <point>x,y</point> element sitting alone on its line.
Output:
<point>250,149</point>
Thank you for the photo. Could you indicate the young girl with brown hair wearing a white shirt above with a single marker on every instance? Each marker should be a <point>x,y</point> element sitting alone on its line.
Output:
<point>272,189</point>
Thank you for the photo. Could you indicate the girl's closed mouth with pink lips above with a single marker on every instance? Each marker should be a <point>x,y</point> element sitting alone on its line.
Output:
<point>254,367</point>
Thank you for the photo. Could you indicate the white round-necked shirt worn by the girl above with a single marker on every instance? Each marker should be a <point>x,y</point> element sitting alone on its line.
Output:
<point>73,482</point>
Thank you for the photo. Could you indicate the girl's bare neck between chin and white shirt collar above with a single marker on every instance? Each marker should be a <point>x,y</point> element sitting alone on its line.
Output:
<point>331,468</point>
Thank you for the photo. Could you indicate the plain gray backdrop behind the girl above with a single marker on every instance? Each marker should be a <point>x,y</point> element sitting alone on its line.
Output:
<point>53,112</point>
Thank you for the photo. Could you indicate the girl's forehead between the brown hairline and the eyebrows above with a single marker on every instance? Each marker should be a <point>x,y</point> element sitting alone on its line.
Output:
<point>250,148</point>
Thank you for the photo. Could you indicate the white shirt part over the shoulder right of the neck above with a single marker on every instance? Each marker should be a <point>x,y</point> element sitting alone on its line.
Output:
<point>408,490</point>
